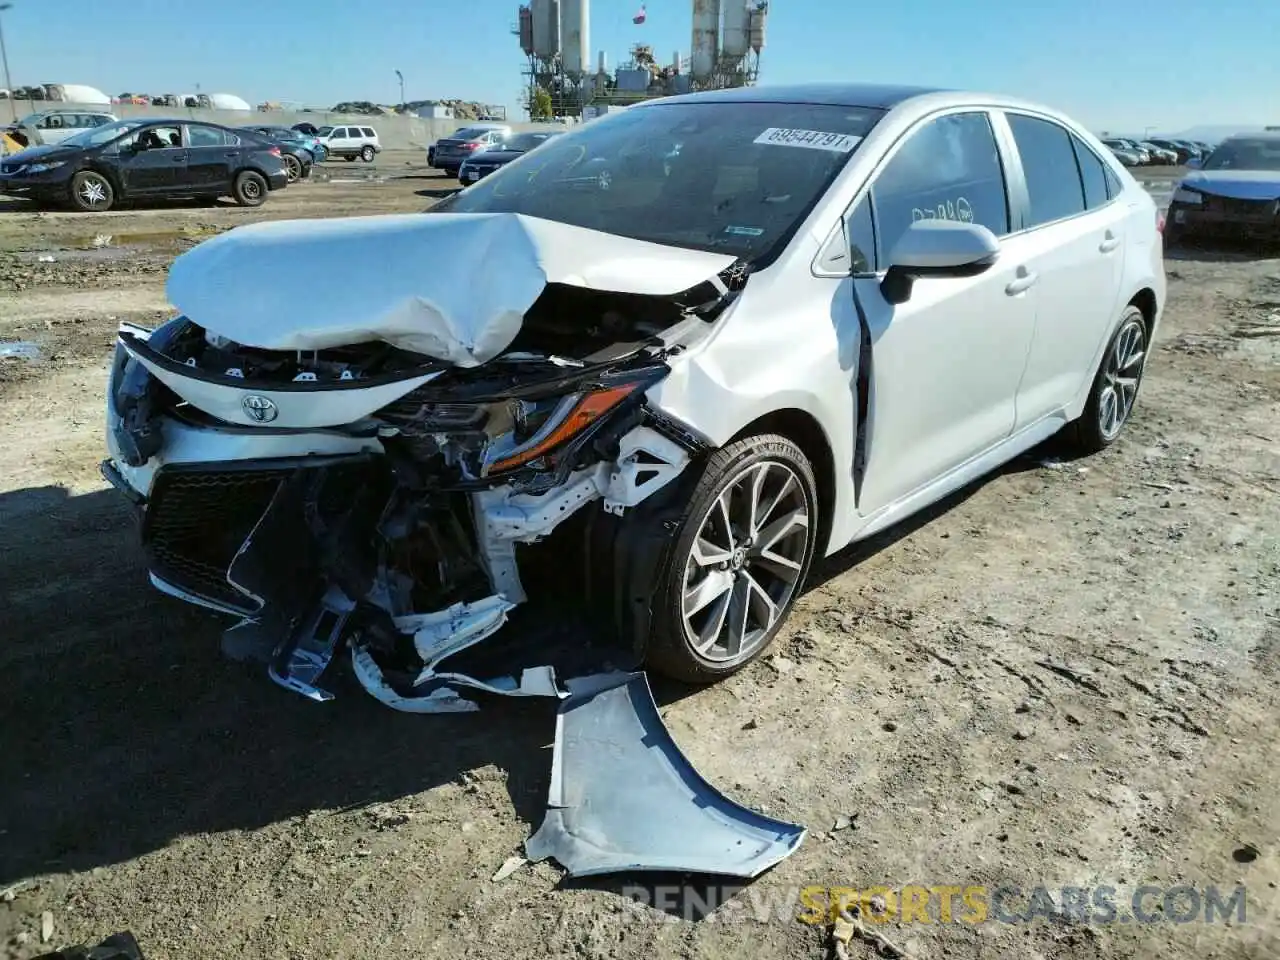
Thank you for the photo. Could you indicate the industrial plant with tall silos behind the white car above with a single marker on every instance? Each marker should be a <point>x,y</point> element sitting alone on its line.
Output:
<point>728,38</point>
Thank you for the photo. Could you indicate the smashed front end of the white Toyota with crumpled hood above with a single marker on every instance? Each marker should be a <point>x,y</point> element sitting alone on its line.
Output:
<point>371,495</point>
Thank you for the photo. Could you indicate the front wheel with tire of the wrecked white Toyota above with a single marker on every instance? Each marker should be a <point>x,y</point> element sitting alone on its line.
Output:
<point>744,550</point>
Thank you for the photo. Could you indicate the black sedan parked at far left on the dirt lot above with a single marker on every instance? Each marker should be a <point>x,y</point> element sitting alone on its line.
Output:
<point>147,159</point>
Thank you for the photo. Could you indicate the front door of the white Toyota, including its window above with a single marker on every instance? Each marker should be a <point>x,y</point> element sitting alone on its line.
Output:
<point>947,364</point>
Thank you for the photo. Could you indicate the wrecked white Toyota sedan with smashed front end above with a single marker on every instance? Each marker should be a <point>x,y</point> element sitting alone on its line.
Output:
<point>696,345</point>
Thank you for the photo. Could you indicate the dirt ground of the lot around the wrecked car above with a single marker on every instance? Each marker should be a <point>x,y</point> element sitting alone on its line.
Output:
<point>1066,675</point>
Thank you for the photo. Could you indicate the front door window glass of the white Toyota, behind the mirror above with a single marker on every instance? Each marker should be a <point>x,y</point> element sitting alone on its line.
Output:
<point>949,170</point>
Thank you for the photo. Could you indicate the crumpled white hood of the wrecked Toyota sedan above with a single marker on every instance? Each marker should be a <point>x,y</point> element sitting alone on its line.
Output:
<point>450,286</point>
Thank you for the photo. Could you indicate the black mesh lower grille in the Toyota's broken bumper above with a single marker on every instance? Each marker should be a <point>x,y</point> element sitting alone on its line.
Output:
<point>198,520</point>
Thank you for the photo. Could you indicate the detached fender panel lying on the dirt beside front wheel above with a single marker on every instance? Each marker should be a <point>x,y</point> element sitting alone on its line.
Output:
<point>624,798</point>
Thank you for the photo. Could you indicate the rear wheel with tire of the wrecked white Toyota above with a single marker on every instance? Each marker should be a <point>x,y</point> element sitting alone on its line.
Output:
<point>1116,387</point>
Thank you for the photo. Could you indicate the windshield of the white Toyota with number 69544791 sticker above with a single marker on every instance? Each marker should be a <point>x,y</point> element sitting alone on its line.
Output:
<point>729,177</point>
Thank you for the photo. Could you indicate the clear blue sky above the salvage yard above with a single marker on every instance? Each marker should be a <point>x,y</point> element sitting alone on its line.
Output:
<point>1121,66</point>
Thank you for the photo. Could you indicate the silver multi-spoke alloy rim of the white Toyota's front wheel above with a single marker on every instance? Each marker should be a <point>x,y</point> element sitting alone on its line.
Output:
<point>746,564</point>
